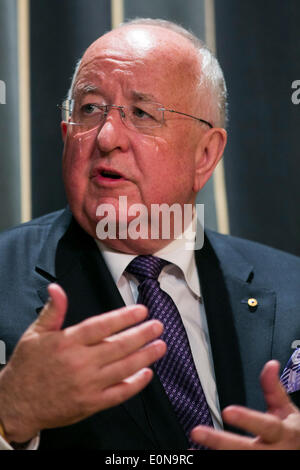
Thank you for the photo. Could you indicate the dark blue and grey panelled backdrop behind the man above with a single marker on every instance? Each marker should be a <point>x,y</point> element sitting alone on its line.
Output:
<point>258,46</point>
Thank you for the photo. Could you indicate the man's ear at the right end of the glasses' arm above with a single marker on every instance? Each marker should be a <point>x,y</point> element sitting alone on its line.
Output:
<point>208,154</point>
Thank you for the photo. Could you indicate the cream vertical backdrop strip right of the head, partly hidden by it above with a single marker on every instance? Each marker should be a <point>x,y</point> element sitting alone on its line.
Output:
<point>219,174</point>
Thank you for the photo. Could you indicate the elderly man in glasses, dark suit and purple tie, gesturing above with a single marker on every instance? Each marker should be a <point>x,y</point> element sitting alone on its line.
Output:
<point>144,121</point>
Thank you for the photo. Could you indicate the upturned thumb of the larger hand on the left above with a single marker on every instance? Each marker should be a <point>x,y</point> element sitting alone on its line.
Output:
<point>53,314</point>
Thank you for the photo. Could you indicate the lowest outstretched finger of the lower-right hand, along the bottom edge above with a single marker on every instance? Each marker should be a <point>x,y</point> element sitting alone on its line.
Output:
<point>222,440</point>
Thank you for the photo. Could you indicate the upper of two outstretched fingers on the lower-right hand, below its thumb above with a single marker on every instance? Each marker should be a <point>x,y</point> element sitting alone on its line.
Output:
<point>268,427</point>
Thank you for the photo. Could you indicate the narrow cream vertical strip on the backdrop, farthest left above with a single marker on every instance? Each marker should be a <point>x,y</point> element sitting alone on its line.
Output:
<point>24,108</point>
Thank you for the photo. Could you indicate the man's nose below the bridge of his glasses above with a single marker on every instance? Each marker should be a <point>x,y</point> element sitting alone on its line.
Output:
<point>113,134</point>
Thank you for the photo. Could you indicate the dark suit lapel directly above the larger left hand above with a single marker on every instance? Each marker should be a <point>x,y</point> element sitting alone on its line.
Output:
<point>79,268</point>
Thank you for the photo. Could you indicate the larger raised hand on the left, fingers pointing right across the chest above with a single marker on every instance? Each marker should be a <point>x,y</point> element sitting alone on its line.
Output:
<point>57,377</point>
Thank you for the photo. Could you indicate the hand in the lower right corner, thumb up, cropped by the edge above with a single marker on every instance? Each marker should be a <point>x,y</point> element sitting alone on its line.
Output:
<point>278,428</point>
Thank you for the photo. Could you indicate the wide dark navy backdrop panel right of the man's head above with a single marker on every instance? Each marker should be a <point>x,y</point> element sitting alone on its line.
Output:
<point>258,45</point>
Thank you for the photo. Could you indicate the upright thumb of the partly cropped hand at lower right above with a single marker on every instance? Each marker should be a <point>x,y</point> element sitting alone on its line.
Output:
<point>275,395</point>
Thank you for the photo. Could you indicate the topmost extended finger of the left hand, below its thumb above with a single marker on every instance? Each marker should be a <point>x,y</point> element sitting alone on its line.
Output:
<point>95,329</point>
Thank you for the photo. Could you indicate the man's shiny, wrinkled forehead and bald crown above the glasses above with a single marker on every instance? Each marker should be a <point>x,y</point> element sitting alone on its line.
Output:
<point>165,65</point>
